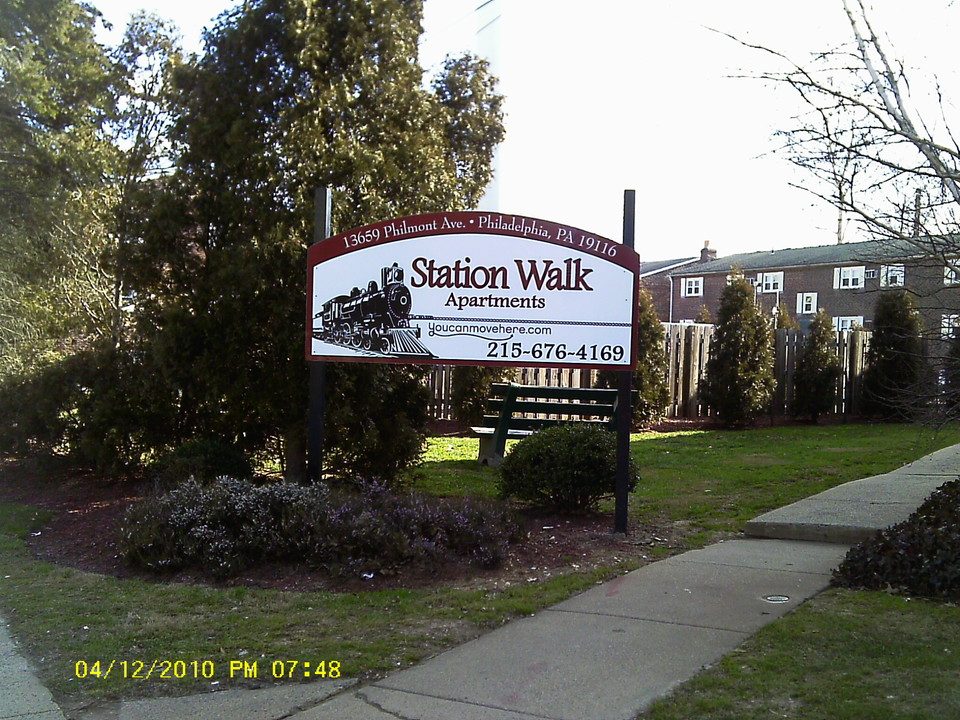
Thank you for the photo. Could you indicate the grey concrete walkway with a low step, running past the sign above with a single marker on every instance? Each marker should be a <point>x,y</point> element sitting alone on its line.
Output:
<point>605,654</point>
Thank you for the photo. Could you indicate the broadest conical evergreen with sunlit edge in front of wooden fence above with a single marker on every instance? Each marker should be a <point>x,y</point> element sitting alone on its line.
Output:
<point>739,380</point>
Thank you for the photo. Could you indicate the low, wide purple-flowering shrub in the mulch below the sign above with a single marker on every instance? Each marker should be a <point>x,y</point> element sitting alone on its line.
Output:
<point>229,525</point>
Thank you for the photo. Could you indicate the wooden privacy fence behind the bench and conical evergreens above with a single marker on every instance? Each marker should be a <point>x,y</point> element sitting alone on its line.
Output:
<point>687,348</point>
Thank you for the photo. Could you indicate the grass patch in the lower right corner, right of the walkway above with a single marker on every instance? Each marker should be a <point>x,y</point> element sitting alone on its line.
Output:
<point>842,655</point>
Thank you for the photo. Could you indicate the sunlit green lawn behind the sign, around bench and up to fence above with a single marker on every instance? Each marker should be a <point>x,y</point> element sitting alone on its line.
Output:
<point>715,481</point>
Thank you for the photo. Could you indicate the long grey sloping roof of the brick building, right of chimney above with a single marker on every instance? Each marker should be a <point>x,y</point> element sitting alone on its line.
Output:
<point>846,253</point>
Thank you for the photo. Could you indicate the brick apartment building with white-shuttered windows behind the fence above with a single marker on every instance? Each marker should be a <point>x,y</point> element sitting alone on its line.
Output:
<point>842,279</point>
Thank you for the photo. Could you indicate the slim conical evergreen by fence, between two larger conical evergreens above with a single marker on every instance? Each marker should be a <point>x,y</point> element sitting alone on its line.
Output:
<point>818,370</point>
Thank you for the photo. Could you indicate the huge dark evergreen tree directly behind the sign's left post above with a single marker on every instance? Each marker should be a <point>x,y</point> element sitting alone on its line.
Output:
<point>291,95</point>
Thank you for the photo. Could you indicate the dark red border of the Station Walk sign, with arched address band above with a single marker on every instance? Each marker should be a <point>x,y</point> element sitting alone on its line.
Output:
<point>469,223</point>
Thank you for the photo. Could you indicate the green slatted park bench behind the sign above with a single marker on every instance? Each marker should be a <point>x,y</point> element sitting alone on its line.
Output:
<point>508,400</point>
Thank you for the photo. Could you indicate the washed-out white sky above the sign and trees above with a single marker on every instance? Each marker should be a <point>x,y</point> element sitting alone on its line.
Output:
<point>620,94</point>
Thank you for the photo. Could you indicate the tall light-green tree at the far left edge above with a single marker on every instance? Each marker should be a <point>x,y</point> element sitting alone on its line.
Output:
<point>55,100</point>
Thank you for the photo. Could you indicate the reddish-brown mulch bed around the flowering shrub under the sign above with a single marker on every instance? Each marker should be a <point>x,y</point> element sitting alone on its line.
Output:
<point>83,533</point>
